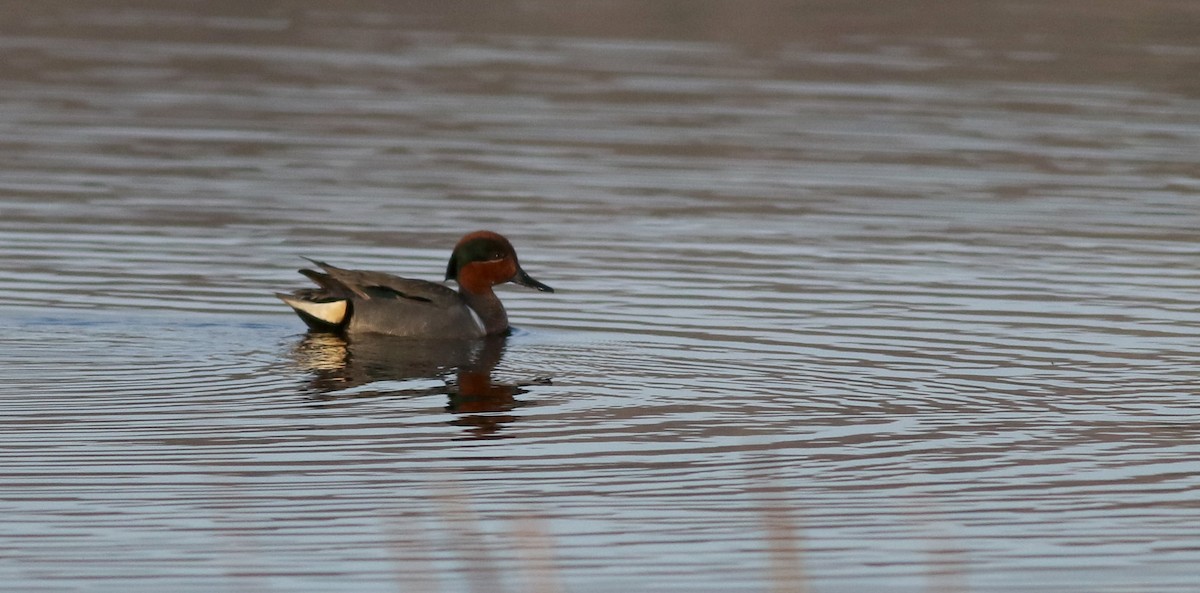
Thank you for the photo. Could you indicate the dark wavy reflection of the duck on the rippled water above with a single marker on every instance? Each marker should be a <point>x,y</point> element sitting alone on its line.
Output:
<point>459,369</point>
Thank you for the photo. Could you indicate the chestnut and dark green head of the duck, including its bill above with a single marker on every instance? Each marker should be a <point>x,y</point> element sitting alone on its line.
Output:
<point>483,260</point>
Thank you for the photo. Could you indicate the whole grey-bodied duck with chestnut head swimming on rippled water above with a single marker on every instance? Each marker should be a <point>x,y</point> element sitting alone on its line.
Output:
<point>357,302</point>
